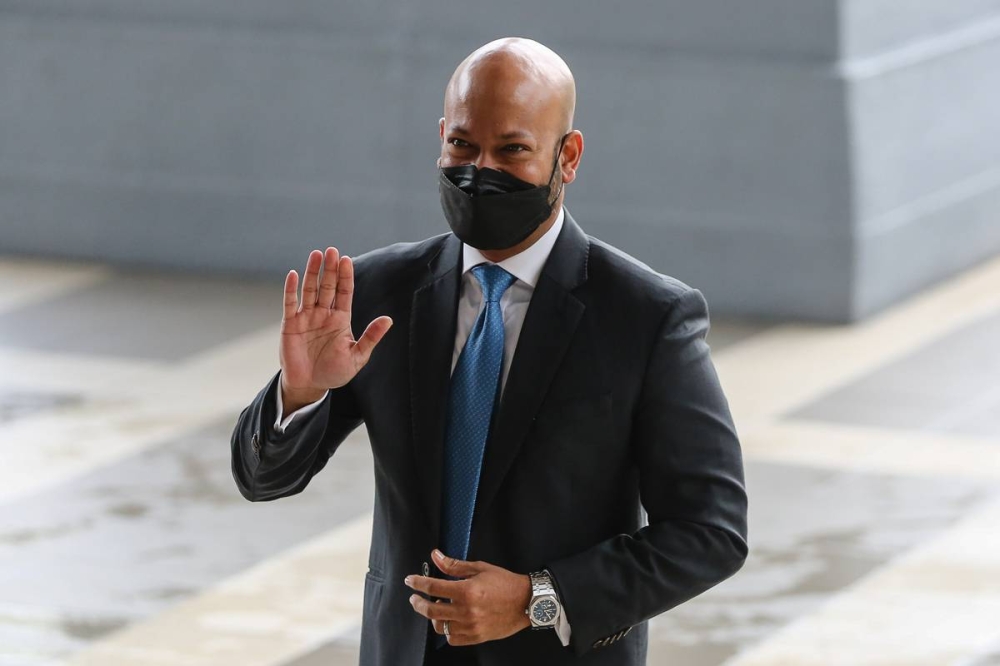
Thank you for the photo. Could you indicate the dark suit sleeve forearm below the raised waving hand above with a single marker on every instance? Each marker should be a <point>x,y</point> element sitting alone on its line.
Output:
<point>268,464</point>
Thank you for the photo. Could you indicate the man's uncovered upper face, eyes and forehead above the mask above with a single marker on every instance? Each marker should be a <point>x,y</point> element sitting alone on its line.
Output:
<point>509,128</point>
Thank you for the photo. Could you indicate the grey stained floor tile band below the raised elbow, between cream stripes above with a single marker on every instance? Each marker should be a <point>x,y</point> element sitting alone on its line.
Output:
<point>128,540</point>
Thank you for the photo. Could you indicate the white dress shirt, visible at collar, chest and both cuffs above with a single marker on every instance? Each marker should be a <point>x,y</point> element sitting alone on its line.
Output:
<point>526,266</point>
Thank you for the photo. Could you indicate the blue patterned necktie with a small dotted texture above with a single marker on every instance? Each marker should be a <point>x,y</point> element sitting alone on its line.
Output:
<point>472,395</point>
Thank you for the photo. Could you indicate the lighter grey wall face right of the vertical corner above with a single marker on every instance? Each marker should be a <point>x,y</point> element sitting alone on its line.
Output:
<point>923,104</point>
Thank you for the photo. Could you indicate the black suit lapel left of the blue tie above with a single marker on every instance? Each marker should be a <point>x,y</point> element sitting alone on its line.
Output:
<point>432,342</point>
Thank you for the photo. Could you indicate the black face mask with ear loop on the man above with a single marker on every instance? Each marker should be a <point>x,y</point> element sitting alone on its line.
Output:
<point>493,210</point>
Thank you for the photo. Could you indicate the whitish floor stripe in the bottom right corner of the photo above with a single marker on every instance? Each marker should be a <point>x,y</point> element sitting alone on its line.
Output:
<point>937,605</point>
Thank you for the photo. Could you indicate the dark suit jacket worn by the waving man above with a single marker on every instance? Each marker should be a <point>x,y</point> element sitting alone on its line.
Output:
<point>612,405</point>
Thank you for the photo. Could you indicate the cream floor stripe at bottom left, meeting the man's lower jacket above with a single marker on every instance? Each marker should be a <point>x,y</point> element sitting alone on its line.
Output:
<point>279,610</point>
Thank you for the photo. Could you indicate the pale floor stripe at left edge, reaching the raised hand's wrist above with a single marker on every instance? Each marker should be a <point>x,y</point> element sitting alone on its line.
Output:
<point>128,408</point>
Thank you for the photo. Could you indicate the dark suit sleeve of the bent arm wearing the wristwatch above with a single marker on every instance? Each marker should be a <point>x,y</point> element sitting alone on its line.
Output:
<point>691,485</point>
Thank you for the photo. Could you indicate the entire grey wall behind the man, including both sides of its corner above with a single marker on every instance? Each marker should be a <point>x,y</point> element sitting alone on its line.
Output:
<point>805,158</point>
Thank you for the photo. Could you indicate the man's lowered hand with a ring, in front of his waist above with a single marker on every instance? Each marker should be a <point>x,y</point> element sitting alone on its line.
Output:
<point>486,604</point>
